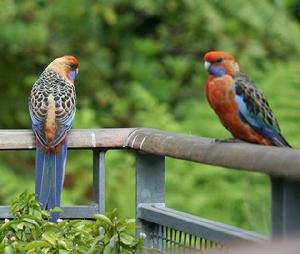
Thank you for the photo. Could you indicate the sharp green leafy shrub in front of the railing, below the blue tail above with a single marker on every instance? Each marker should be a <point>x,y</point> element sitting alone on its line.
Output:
<point>31,232</point>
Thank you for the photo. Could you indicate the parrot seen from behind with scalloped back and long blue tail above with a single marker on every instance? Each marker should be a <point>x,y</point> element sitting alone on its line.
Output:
<point>52,106</point>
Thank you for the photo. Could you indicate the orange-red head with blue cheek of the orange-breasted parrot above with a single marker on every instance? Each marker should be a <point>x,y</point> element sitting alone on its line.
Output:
<point>219,63</point>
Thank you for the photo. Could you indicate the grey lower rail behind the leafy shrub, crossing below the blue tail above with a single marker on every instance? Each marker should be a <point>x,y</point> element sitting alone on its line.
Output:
<point>70,212</point>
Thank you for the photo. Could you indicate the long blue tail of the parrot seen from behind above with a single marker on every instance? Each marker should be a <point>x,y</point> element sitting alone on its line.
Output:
<point>49,178</point>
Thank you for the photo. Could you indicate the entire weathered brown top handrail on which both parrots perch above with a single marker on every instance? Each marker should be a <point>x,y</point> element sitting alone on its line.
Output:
<point>270,160</point>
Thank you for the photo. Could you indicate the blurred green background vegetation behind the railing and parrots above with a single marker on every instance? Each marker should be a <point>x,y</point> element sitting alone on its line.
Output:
<point>141,65</point>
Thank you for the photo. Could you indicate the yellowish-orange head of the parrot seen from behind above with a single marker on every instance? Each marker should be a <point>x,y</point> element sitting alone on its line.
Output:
<point>67,66</point>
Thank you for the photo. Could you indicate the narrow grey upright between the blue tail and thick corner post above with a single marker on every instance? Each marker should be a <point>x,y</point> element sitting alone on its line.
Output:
<point>99,179</point>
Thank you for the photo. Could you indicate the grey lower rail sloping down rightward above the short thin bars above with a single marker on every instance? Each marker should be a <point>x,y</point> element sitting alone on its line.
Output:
<point>200,227</point>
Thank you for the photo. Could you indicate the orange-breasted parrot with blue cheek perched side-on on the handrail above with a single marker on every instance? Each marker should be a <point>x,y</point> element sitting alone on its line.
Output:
<point>242,109</point>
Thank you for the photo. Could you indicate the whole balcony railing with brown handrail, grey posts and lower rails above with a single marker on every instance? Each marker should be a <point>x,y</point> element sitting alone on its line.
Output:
<point>168,230</point>
